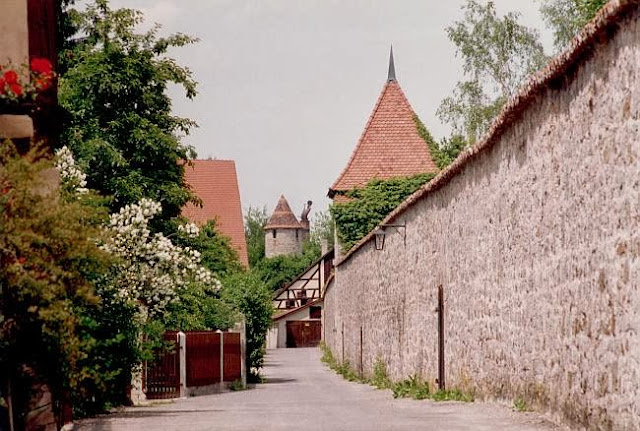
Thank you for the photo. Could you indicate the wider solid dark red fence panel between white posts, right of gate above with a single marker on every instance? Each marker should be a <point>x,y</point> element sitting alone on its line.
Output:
<point>203,358</point>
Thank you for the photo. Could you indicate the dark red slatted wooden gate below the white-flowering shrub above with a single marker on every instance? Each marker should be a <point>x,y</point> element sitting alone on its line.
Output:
<point>161,377</point>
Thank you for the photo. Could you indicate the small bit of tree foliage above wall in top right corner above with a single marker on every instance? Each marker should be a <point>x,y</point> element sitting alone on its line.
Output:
<point>567,17</point>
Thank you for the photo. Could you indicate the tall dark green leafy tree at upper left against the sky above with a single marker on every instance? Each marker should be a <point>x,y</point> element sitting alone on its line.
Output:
<point>120,128</point>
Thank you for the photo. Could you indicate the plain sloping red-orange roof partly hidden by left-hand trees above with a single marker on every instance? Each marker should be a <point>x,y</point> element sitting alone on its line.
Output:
<point>216,184</point>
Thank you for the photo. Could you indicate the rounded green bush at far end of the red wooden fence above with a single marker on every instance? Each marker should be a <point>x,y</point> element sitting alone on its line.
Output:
<point>250,296</point>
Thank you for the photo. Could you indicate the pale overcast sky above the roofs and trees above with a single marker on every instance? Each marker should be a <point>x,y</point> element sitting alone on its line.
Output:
<point>286,86</point>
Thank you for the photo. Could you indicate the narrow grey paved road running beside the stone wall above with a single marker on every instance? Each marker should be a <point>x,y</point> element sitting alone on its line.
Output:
<point>302,394</point>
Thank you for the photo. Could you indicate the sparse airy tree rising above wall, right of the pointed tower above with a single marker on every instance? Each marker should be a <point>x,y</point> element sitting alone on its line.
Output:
<point>497,54</point>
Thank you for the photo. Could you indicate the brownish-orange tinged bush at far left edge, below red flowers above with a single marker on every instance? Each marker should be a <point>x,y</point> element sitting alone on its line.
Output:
<point>48,267</point>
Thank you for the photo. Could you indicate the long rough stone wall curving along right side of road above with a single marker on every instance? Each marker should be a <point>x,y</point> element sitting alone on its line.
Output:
<point>536,241</point>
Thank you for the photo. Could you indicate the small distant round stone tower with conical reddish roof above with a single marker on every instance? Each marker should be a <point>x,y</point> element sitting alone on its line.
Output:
<point>283,233</point>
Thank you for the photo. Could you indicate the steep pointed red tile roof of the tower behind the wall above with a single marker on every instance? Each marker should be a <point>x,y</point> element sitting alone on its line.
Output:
<point>390,145</point>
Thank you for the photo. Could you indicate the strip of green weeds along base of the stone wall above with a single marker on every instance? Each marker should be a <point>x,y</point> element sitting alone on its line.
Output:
<point>413,387</point>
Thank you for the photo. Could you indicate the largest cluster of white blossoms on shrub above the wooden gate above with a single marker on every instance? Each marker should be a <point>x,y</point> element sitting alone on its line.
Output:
<point>153,267</point>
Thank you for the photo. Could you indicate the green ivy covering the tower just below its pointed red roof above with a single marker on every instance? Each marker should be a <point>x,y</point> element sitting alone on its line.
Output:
<point>369,205</point>
